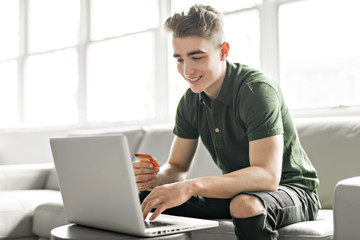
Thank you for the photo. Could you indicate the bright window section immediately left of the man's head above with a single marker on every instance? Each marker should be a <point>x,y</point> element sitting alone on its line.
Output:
<point>121,77</point>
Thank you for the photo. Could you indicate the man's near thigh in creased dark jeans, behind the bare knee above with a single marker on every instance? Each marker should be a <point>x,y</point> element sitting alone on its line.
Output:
<point>288,205</point>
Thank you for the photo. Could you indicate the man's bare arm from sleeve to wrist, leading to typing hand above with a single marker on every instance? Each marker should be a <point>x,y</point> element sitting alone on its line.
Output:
<point>263,174</point>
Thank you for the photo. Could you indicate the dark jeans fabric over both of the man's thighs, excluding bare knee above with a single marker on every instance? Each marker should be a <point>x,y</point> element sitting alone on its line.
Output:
<point>286,206</point>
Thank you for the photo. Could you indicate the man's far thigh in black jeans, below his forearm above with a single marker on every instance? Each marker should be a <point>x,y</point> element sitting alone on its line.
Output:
<point>200,207</point>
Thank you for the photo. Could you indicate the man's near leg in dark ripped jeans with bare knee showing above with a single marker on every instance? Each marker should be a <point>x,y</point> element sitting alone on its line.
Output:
<point>258,215</point>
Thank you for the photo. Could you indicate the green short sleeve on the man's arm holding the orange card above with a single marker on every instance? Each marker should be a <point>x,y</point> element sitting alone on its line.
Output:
<point>185,121</point>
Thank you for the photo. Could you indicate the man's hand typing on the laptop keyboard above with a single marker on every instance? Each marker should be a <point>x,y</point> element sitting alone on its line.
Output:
<point>164,197</point>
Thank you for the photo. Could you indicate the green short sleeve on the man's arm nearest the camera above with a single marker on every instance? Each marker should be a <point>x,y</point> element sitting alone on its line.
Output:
<point>260,110</point>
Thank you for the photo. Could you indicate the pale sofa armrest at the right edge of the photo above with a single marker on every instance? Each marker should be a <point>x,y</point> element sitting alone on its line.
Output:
<point>347,209</point>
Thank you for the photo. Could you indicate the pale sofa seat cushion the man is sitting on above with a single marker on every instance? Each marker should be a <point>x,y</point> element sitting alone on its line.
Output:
<point>321,229</point>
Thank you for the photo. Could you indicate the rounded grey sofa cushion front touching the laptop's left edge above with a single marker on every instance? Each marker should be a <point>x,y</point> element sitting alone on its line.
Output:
<point>47,217</point>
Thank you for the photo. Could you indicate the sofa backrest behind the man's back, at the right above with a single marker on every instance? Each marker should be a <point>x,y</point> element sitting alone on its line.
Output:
<point>333,146</point>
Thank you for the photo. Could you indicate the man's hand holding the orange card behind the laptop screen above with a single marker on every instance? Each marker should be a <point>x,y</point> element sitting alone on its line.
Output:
<point>145,174</point>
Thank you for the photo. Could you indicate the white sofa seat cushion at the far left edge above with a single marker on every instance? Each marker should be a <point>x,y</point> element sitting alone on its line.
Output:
<point>16,210</point>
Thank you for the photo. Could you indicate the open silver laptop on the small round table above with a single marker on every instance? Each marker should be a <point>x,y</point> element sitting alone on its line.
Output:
<point>98,188</point>
